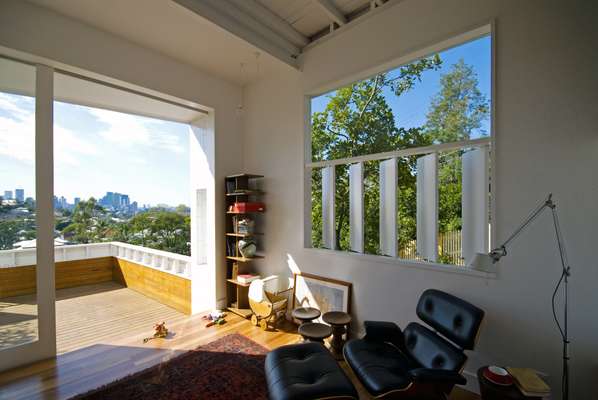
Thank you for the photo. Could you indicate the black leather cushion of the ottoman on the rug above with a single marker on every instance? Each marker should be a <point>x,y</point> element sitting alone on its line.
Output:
<point>306,371</point>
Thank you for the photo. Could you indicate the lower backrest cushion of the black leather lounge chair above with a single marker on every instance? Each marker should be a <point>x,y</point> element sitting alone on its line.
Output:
<point>430,350</point>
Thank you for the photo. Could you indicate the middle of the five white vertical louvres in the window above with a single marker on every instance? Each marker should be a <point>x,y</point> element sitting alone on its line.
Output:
<point>388,207</point>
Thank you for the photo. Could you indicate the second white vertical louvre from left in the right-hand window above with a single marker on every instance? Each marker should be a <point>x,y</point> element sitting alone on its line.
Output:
<point>356,206</point>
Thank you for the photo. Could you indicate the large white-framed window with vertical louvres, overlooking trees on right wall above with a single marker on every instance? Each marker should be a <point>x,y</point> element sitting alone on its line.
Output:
<point>400,161</point>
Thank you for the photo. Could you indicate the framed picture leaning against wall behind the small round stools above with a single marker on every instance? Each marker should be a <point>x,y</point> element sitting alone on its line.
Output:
<point>323,293</point>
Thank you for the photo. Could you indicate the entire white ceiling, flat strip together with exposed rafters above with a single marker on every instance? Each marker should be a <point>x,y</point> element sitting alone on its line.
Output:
<point>216,36</point>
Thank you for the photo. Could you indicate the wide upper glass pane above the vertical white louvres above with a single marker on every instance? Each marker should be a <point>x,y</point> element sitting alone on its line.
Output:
<point>442,98</point>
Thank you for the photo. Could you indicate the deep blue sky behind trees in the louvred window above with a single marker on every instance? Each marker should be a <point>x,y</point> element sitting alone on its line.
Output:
<point>410,108</point>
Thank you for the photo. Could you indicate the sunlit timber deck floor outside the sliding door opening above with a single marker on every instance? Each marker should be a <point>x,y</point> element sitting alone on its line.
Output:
<point>85,316</point>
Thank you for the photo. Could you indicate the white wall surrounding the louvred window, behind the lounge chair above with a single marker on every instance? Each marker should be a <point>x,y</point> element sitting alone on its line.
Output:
<point>546,141</point>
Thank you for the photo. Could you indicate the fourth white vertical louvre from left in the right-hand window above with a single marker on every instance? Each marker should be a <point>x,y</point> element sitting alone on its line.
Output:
<point>427,207</point>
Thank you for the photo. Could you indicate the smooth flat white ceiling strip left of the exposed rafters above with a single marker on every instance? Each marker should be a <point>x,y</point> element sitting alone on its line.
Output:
<point>172,30</point>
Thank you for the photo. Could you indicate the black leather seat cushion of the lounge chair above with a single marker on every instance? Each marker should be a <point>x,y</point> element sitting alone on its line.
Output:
<point>380,366</point>
